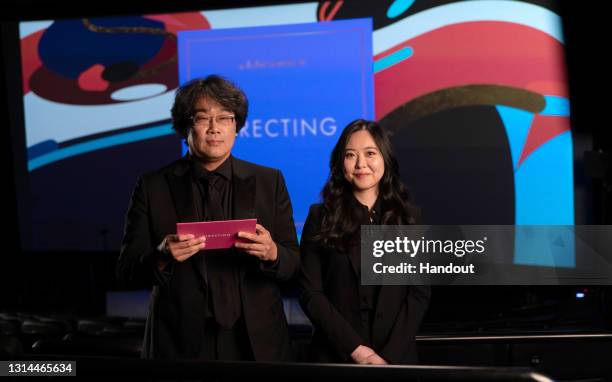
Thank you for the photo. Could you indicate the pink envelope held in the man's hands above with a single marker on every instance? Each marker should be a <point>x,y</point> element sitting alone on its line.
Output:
<point>219,234</point>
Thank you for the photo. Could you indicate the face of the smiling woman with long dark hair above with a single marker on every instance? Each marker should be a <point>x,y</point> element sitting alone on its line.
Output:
<point>364,165</point>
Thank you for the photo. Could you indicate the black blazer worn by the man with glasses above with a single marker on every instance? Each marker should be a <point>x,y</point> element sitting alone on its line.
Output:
<point>177,311</point>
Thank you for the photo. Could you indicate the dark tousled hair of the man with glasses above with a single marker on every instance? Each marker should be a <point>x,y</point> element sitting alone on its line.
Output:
<point>215,88</point>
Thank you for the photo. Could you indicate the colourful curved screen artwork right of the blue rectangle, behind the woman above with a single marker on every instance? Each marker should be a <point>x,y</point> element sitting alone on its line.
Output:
<point>491,54</point>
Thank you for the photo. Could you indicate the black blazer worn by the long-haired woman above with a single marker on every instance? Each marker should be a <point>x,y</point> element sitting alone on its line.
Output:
<point>330,298</point>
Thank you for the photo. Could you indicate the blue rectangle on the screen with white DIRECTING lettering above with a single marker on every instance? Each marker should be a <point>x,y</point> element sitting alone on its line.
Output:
<point>304,82</point>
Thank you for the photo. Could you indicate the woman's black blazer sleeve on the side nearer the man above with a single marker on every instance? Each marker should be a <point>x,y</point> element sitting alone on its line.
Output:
<point>313,300</point>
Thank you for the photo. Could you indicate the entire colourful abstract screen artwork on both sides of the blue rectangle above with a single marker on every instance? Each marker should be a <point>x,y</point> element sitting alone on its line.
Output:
<point>475,93</point>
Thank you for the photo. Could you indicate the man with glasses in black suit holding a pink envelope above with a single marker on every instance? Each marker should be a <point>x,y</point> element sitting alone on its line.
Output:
<point>211,304</point>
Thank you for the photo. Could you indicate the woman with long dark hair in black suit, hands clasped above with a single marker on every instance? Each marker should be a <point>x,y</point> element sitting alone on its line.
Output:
<point>365,324</point>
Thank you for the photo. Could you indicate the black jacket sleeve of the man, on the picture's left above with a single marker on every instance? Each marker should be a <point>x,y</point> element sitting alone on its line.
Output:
<point>138,258</point>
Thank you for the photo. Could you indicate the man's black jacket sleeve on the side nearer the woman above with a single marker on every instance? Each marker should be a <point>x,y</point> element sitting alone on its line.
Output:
<point>283,233</point>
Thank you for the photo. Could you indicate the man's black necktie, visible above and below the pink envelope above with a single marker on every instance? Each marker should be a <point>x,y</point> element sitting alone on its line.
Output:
<point>222,265</point>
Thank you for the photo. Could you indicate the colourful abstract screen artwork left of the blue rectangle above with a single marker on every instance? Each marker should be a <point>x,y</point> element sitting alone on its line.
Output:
<point>86,80</point>
